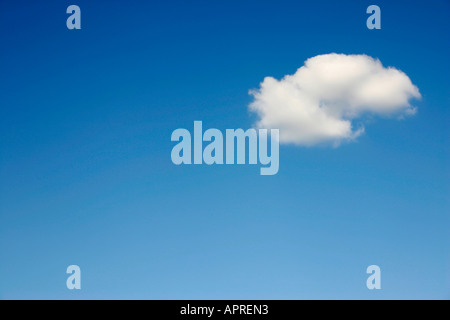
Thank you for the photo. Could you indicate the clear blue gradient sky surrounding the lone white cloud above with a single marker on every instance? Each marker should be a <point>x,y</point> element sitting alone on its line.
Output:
<point>86,177</point>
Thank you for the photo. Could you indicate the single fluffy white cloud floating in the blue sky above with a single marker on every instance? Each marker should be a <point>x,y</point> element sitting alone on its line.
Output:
<point>320,101</point>
